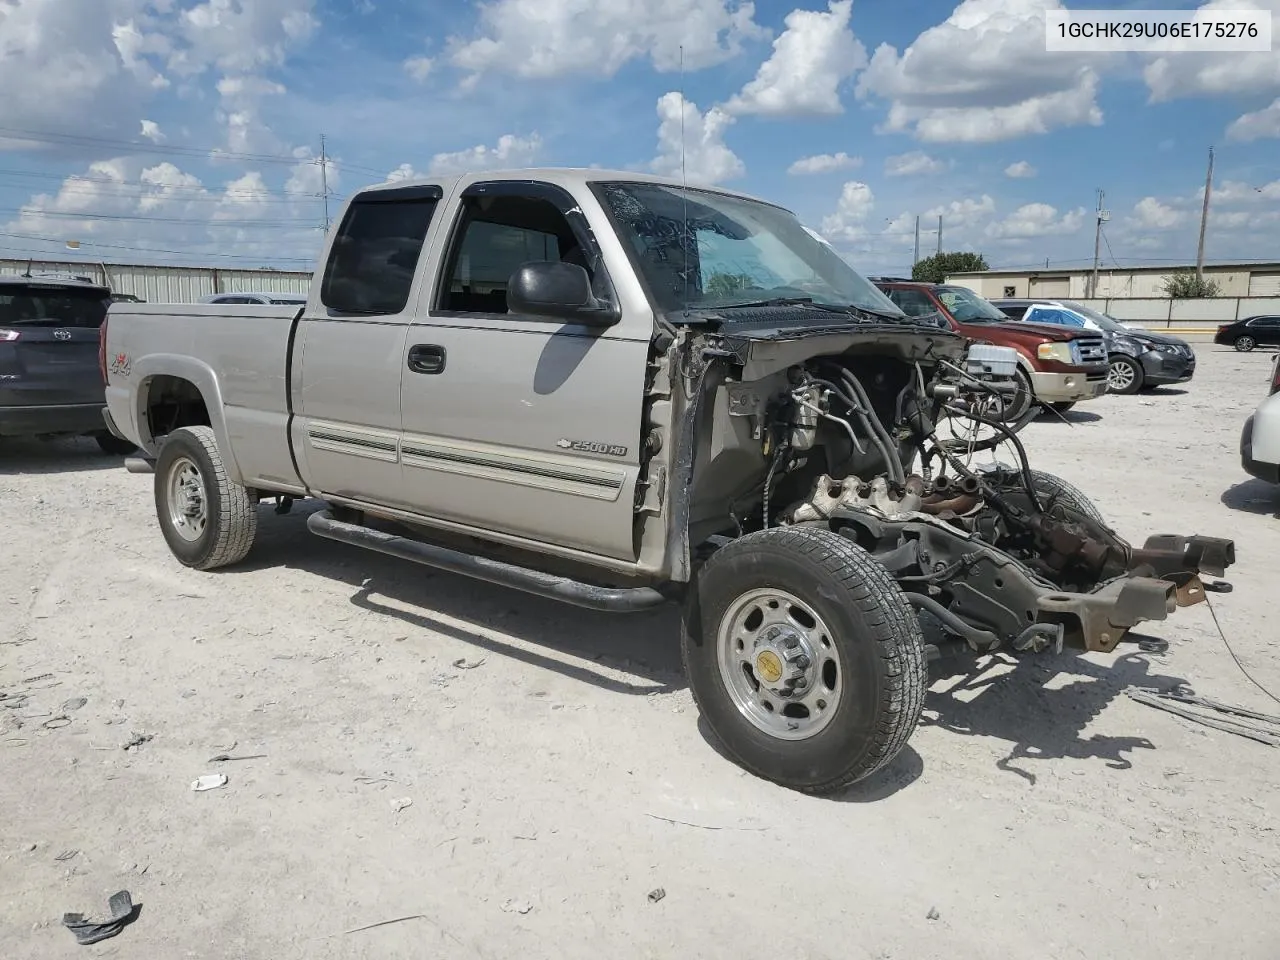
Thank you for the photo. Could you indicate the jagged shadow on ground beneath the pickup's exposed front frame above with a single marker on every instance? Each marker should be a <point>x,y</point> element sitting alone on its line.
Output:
<point>1040,703</point>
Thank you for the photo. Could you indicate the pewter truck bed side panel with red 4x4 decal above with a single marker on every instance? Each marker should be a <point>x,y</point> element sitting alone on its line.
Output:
<point>236,354</point>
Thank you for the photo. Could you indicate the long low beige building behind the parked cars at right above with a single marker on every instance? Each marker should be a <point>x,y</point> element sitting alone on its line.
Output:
<point>1135,282</point>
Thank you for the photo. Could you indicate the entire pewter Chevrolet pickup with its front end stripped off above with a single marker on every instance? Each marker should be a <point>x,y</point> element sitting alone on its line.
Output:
<point>620,392</point>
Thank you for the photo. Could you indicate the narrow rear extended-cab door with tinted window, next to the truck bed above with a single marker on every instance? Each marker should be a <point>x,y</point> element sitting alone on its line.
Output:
<point>349,348</point>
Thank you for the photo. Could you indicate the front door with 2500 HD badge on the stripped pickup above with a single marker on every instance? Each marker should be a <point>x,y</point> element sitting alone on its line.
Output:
<point>515,424</point>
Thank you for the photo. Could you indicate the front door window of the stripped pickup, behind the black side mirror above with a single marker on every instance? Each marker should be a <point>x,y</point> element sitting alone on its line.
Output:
<point>493,239</point>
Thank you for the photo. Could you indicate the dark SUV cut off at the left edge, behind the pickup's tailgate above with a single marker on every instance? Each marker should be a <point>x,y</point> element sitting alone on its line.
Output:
<point>51,381</point>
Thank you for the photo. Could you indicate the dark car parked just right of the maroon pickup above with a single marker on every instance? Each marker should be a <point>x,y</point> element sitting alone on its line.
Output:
<point>1140,359</point>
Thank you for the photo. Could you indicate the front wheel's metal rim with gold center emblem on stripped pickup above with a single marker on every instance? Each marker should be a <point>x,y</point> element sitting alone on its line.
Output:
<point>779,662</point>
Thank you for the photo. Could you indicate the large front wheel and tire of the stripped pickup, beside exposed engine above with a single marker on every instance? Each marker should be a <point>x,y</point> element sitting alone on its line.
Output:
<point>865,646</point>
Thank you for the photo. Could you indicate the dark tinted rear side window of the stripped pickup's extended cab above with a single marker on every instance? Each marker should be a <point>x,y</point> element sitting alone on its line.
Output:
<point>376,252</point>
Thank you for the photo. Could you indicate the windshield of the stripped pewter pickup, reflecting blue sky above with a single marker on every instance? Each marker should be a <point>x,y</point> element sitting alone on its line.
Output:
<point>739,252</point>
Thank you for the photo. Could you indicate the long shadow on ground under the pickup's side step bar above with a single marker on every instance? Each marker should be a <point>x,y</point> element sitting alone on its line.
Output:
<point>496,620</point>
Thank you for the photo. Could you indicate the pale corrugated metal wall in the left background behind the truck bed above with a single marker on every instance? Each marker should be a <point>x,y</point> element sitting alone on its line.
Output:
<point>168,285</point>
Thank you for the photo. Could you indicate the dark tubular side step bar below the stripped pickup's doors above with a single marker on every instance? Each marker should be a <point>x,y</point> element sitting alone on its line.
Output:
<point>532,582</point>
